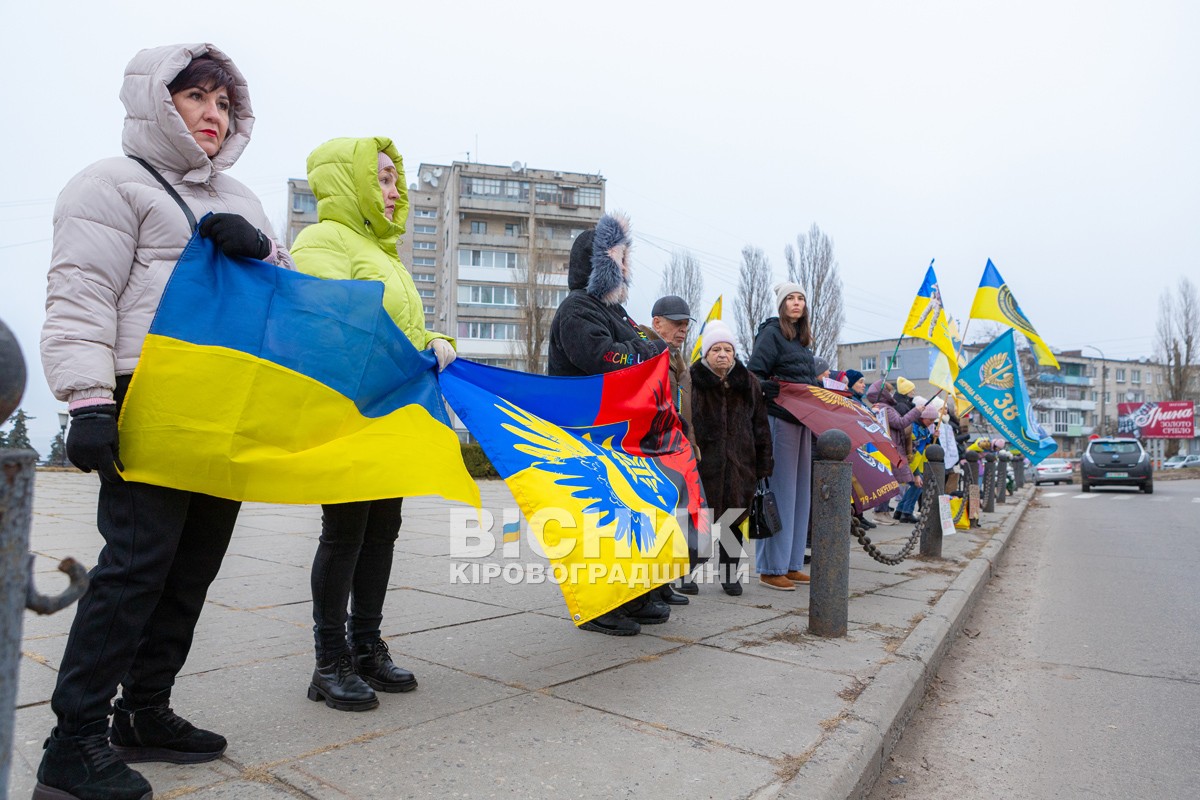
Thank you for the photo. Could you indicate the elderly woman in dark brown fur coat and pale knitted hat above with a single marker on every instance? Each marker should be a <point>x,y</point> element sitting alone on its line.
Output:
<point>730,428</point>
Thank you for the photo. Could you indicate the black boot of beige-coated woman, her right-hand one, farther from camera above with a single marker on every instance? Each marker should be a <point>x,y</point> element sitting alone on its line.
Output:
<point>149,731</point>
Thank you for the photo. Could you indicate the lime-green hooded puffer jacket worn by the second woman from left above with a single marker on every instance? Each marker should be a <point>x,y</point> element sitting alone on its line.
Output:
<point>355,239</point>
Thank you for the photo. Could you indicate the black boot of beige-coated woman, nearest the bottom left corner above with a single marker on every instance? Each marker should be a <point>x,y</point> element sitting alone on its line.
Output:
<point>86,768</point>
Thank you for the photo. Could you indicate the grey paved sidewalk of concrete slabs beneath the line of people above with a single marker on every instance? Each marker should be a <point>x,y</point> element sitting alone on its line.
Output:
<point>731,699</point>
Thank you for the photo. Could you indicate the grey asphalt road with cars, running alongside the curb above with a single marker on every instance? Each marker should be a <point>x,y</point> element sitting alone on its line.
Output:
<point>1078,675</point>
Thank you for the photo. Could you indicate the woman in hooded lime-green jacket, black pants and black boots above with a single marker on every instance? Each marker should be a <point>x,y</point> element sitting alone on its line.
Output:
<point>362,206</point>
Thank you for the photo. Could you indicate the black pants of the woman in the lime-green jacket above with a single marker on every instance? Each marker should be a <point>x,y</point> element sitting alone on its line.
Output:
<point>353,564</point>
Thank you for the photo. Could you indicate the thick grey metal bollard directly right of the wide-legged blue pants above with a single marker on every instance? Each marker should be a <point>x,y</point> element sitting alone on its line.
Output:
<point>830,587</point>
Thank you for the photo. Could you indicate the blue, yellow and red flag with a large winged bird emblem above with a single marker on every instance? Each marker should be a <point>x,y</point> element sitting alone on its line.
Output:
<point>601,468</point>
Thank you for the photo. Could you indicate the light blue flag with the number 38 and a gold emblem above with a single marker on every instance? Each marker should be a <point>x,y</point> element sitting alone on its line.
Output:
<point>995,386</point>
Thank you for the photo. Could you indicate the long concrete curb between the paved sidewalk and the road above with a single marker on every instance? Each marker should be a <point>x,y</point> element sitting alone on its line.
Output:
<point>850,760</point>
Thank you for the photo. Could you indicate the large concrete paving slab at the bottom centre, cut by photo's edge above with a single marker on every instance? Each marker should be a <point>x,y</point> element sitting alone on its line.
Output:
<point>532,747</point>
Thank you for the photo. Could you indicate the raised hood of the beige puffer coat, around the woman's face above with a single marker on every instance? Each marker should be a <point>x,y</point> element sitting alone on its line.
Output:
<point>155,131</point>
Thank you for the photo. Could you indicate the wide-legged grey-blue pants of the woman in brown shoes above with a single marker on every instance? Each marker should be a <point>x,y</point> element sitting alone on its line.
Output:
<point>793,485</point>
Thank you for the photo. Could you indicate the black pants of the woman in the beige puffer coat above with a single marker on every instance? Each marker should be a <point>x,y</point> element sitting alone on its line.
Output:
<point>135,624</point>
